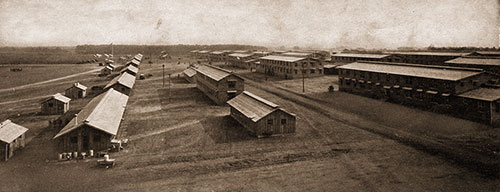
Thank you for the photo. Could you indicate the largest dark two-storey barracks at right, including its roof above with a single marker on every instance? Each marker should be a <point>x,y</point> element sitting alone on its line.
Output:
<point>418,85</point>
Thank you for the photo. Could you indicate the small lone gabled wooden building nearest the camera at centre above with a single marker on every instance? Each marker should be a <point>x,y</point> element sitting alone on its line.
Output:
<point>260,116</point>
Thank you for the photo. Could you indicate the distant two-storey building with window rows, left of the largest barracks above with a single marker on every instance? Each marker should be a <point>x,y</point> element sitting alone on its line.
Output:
<point>291,67</point>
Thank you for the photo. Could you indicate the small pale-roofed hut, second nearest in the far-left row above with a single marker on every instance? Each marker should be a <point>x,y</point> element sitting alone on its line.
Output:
<point>55,104</point>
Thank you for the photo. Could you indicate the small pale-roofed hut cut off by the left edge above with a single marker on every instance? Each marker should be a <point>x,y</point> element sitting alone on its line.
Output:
<point>12,138</point>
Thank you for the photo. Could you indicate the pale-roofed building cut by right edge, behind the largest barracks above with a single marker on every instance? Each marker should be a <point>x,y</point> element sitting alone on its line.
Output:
<point>486,63</point>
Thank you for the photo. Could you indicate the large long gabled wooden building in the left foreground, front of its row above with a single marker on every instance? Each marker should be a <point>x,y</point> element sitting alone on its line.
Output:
<point>95,125</point>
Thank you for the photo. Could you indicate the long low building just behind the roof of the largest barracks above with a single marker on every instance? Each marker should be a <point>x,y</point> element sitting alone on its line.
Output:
<point>426,58</point>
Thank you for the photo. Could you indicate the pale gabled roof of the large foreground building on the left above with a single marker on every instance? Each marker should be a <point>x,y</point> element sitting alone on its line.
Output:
<point>103,112</point>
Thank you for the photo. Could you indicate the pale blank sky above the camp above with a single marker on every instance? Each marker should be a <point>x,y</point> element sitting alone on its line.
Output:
<point>318,23</point>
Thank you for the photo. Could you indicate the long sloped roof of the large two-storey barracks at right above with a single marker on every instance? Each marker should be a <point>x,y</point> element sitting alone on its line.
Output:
<point>452,74</point>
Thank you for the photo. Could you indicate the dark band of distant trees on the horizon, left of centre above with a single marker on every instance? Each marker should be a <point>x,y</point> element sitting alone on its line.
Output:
<point>157,49</point>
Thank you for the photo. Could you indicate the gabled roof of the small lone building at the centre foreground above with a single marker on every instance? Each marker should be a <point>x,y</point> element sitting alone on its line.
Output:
<point>253,106</point>
